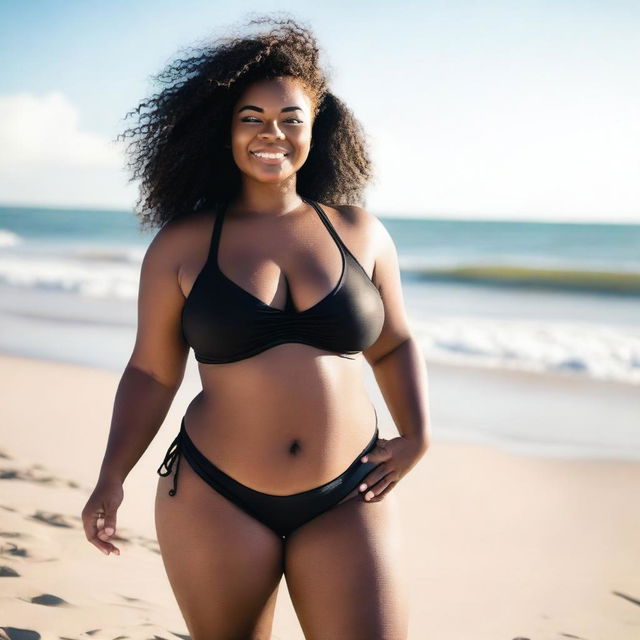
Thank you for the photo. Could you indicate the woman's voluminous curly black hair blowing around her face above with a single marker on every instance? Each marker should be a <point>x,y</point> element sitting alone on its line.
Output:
<point>180,146</point>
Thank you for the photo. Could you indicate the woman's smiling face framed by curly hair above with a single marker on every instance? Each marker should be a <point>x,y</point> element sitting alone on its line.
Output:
<point>272,117</point>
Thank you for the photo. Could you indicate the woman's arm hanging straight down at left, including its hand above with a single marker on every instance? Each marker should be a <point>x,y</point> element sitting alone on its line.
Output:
<point>148,385</point>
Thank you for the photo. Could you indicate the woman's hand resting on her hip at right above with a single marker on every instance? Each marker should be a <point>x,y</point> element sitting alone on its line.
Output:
<point>396,457</point>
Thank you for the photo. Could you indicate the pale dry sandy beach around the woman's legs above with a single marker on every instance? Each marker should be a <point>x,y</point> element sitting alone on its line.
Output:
<point>499,545</point>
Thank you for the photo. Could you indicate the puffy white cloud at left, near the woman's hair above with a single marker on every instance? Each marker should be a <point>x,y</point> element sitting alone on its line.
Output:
<point>40,131</point>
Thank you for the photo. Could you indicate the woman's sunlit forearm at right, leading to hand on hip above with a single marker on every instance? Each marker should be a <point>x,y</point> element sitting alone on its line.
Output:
<point>402,377</point>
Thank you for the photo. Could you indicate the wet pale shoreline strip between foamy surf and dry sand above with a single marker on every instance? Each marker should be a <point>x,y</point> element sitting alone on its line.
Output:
<point>557,415</point>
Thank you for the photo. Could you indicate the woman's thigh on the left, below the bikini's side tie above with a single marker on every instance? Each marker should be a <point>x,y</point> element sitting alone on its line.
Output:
<point>223,565</point>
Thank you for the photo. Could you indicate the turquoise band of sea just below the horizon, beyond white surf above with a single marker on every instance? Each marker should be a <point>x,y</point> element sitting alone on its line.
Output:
<point>591,257</point>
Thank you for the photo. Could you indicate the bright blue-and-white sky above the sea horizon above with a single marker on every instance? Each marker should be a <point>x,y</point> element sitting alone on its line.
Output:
<point>514,110</point>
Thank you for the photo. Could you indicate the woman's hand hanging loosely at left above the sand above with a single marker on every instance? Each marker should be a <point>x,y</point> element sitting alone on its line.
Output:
<point>99,515</point>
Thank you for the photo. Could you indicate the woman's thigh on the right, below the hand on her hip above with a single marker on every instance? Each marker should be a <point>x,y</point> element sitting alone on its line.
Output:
<point>346,570</point>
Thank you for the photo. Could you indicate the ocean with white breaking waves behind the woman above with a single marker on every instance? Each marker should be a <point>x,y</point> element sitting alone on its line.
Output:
<point>494,296</point>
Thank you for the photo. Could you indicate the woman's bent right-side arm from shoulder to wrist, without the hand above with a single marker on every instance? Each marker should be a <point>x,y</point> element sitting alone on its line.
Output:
<point>395,357</point>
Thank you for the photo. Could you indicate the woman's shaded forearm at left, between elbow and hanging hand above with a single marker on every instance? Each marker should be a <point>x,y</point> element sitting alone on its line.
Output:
<point>140,407</point>
